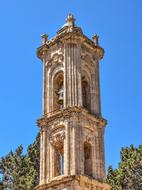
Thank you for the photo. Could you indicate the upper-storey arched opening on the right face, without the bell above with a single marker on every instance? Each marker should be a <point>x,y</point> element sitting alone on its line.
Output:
<point>86,93</point>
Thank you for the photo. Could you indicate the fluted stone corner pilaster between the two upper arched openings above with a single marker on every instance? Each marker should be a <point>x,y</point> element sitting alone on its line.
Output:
<point>72,75</point>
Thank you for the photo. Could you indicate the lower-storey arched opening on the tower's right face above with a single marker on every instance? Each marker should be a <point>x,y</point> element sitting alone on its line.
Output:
<point>87,159</point>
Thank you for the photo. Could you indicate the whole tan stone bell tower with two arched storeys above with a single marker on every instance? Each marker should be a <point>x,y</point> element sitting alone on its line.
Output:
<point>71,127</point>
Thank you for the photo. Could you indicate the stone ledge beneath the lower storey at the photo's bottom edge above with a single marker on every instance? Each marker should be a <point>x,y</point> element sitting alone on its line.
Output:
<point>75,182</point>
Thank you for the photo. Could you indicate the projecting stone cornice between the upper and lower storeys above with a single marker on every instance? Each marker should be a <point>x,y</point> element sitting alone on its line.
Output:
<point>69,112</point>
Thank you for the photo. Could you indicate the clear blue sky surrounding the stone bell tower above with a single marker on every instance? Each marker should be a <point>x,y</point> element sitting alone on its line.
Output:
<point>119,25</point>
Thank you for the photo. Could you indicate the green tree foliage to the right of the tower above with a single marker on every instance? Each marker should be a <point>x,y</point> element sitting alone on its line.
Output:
<point>128,176</point>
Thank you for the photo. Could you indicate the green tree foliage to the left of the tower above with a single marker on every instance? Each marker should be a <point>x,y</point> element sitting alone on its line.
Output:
<point>20,171</point>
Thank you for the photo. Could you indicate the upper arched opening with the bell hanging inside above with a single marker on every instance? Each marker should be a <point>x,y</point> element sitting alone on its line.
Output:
<point>58,91</point>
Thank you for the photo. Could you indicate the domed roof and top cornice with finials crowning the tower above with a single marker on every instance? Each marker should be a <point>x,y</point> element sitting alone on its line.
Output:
<point>71,30</point>
